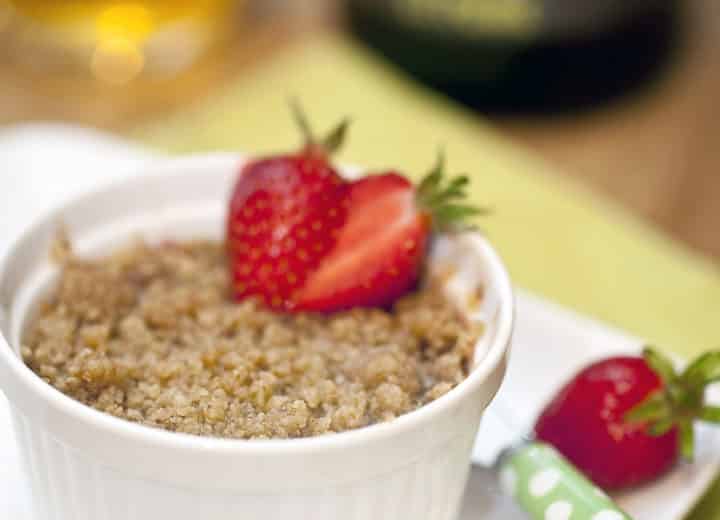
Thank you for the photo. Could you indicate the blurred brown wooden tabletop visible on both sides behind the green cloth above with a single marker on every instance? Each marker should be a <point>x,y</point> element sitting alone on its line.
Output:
<point>658,153</point>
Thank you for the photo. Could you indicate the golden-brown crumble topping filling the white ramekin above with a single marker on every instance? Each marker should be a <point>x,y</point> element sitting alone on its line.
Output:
<point>150,334</point>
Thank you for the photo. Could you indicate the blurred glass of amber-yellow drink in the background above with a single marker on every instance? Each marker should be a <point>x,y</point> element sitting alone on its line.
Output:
<point>115,40</point>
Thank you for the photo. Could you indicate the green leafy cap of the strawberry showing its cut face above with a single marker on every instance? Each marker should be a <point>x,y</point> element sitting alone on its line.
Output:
<point>444,199</point>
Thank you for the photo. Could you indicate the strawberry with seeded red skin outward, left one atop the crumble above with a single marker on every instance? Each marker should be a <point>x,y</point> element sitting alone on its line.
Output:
<point>285,215</point>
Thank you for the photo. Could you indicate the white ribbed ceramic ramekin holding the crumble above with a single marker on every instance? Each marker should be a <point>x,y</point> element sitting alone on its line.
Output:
<point>86,465</point>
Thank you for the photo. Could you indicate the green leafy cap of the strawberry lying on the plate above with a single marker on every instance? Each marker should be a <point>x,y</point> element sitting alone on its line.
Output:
<point>681,400</point>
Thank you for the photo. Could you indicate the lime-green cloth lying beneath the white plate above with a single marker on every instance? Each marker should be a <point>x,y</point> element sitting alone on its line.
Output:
<point>558,239</point>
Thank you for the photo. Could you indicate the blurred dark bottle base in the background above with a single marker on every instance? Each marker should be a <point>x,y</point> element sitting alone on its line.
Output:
<point>524,56</point>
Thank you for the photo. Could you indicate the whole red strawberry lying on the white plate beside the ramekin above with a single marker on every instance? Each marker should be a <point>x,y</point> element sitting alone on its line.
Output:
<point>625,421</point>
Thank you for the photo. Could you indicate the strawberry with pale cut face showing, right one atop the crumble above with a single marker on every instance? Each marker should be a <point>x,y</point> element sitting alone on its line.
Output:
<point>381,249</point>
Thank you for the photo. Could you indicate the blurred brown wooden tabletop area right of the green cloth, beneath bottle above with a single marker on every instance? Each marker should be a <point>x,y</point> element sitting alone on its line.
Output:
<point>658,153</point>
